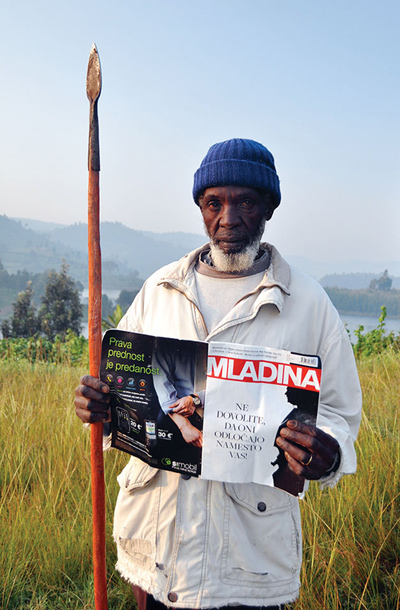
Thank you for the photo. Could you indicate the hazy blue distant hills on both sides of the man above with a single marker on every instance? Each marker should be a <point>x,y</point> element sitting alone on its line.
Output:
<point>37,246</point>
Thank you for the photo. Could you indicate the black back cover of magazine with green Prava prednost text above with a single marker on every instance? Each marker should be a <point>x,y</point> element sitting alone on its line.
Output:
<point>149,377</point>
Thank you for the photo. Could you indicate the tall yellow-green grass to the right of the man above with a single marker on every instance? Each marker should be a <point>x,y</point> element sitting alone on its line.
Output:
<point>351,533</point>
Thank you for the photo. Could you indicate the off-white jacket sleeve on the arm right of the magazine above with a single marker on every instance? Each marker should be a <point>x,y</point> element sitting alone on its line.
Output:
<point>339,412</point>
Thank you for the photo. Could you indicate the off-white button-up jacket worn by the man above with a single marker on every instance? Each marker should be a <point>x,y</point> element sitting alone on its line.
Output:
<point>196,544</point>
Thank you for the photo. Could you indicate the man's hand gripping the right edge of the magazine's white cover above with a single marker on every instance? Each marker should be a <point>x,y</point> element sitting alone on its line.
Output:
<point>309,451</point>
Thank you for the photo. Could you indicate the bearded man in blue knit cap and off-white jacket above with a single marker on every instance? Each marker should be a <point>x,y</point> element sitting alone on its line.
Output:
<point>189,543</point>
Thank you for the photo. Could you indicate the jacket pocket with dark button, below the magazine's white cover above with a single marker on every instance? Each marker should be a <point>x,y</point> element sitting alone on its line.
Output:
<point>262,536</point>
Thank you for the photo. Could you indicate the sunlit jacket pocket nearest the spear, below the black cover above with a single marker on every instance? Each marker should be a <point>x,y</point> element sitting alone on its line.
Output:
<point>136,514</point>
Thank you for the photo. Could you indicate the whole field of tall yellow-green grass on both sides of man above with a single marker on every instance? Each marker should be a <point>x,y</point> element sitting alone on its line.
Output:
<point>351,533</point>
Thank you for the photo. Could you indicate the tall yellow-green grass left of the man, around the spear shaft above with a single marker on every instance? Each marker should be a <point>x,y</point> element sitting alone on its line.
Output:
<point>45,502</point>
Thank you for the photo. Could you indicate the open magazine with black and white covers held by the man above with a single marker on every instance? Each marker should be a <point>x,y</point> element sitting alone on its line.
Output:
<point>212,410</point>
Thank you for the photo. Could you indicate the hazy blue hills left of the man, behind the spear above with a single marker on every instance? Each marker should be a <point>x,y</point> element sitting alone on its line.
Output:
<point>38,246</point>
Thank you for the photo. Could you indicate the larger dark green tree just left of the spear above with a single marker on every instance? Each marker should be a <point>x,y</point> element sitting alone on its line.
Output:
<point>61,307</point>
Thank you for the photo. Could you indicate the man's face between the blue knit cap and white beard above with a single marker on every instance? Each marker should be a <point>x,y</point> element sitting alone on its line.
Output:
<point>233,216</point>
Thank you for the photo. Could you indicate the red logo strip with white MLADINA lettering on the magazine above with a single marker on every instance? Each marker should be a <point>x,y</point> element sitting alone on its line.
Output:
<point>261,371</point>
